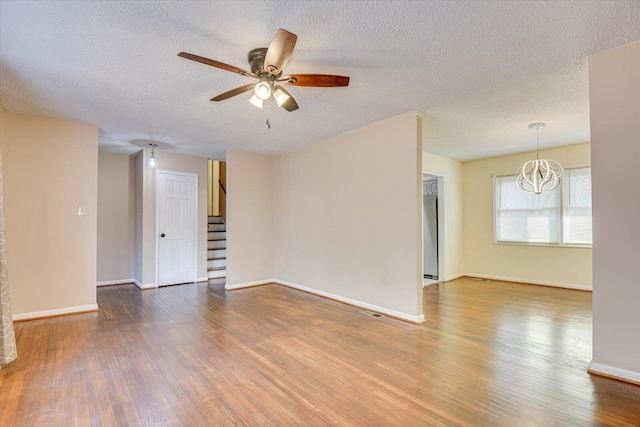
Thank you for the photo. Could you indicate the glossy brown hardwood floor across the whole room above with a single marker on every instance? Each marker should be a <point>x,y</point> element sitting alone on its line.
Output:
<point>489,354</point>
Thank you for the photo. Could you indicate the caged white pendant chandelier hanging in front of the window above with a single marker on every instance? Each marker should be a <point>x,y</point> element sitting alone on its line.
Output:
<point>539,175</point>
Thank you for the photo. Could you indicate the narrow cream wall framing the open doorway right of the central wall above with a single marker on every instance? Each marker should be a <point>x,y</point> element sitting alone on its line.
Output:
<point>451,173</point>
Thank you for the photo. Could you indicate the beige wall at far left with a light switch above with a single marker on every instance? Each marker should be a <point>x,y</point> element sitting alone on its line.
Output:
<point>50,168</point>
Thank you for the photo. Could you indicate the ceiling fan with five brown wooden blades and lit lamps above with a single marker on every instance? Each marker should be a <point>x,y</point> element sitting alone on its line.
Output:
<point>266,66</point>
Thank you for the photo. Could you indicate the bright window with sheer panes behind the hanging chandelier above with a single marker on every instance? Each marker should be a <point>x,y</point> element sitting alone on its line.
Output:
<point>562,217</point>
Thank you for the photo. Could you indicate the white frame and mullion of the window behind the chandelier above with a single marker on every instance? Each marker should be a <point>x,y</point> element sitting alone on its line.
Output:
<point>561,216</point>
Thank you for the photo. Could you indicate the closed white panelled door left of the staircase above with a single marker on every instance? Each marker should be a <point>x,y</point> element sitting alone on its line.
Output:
<point>176,218</point>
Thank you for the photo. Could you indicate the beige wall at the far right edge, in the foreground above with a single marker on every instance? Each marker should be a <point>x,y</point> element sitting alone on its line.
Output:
<point>614,86</point>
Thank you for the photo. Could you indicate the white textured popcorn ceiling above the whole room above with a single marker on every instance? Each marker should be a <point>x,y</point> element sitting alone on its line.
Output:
<point>479,71</point>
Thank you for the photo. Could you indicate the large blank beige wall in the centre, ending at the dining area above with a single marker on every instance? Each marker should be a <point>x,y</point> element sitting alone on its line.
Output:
<point>348,215</point>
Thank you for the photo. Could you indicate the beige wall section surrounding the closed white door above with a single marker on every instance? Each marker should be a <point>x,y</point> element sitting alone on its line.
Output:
<point>146,224</point>
